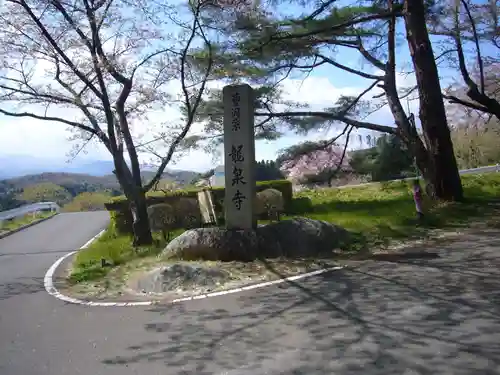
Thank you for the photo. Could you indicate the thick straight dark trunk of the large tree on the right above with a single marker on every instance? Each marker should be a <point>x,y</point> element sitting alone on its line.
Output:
<point>444,175</point>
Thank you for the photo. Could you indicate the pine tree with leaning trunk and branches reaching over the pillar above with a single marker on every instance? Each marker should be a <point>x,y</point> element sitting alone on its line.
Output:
<point>267,48</point>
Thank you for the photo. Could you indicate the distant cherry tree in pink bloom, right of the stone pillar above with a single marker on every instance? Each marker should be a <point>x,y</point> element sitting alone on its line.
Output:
<point>314,162</point>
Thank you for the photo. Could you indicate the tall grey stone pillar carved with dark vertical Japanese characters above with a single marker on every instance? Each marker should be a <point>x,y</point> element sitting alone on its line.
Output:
<point>239,157</point>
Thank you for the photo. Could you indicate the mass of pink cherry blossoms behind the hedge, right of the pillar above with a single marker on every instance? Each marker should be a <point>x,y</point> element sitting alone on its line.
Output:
<point>315,163</point>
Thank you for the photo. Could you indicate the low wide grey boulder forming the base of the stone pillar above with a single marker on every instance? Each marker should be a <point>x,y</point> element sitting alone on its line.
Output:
<point>298,237</point>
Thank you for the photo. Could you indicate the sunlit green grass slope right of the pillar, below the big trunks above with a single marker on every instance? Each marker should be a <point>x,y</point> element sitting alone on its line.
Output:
<point>380,213</point>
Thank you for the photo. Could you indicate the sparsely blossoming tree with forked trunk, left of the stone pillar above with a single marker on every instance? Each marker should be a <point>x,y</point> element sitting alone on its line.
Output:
<point>100,67</point>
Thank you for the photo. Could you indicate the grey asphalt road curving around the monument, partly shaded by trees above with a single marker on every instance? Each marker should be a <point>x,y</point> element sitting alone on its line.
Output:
<point>437,316</point>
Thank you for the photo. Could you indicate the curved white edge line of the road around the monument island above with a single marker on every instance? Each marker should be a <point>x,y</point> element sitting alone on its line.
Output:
<point>52,290</point>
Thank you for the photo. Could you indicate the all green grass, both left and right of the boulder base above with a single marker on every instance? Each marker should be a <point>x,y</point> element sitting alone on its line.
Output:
<point>377,214</point>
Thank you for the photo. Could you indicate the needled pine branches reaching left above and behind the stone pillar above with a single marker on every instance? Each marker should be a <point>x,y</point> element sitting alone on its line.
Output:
<point>253,49</point>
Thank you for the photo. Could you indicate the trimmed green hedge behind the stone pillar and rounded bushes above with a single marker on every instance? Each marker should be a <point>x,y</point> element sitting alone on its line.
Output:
<point>121,217</point>
